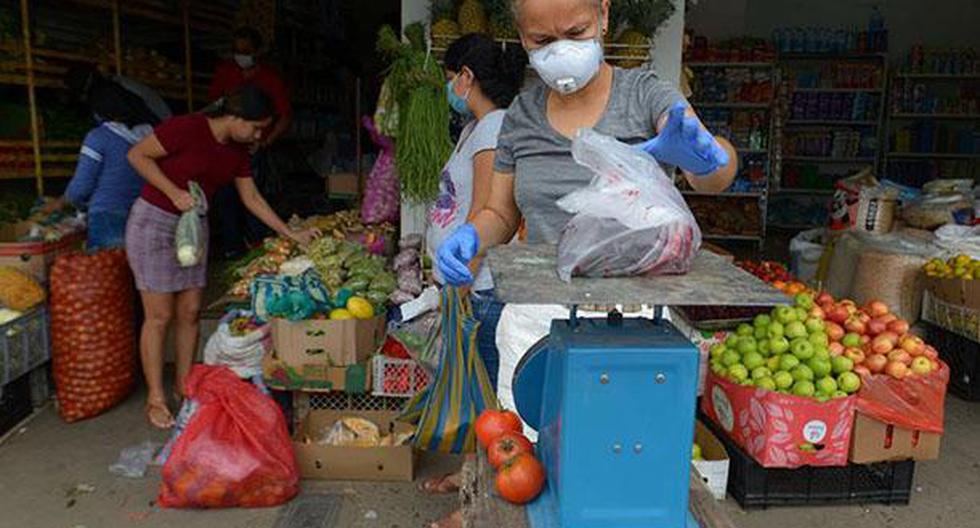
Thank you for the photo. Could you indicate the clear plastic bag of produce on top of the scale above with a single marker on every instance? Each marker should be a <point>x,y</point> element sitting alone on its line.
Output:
<point>631,220</point>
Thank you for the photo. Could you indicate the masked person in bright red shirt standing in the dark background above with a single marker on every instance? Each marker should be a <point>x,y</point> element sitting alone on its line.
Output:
<point>237,226</point>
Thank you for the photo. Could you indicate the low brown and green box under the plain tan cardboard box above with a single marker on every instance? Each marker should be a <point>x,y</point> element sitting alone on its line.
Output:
<point>354,379</point>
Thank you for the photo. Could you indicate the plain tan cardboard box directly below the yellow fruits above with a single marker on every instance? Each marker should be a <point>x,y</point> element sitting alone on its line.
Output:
<point>327,343</point>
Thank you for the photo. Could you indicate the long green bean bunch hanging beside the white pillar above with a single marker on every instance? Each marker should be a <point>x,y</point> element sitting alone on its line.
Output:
<point>417,85</point>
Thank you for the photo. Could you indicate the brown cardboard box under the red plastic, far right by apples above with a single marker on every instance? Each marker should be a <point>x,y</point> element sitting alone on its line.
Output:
<point>876,441</point>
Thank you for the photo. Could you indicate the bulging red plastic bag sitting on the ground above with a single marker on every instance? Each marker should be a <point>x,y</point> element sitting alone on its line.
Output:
<point>235,452</point>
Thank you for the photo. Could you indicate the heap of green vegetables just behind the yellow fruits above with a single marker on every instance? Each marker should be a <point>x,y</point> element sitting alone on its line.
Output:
<point>348,266</point>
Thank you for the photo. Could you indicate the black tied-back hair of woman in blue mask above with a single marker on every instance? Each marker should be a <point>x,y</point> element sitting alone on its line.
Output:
<point>499,68</point>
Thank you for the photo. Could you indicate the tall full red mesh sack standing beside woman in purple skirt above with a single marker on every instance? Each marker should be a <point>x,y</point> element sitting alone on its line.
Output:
<point>93,332</point>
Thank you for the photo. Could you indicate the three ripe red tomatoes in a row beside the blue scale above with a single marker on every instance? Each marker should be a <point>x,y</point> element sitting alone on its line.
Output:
<point>520,476</point>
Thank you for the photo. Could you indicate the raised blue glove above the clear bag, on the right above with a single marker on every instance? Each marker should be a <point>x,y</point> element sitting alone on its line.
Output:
<point>686,144</point>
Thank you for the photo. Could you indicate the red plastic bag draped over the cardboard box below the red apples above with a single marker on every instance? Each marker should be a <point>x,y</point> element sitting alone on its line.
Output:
<point>915,402</point>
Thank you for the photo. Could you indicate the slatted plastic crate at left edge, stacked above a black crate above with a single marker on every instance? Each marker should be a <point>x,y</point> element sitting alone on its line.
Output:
<point>24,344</point>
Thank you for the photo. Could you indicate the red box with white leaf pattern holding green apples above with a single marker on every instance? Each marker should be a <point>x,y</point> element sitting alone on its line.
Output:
<point>781,430</point>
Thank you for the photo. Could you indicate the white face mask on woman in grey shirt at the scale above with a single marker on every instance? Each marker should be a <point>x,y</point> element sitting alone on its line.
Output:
<point>566,66</point>
